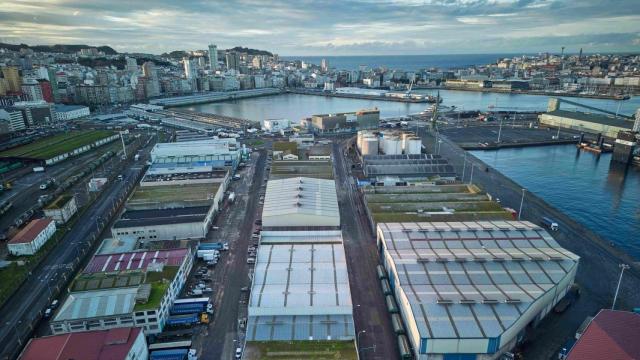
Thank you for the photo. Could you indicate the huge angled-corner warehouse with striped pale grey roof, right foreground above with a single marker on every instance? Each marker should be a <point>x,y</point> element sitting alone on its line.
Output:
<point>472,288</point>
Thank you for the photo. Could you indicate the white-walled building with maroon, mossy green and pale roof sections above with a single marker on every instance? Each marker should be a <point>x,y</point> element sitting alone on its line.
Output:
<point>124,289</point>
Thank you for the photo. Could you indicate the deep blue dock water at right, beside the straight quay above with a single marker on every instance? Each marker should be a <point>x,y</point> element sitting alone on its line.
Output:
<point>581,184</point>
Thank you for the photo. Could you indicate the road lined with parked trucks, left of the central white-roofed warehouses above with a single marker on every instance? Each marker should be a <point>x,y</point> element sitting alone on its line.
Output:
<point>232,274</point>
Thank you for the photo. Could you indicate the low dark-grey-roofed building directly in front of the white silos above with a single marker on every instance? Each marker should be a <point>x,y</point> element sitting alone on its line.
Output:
<point>399,168</point>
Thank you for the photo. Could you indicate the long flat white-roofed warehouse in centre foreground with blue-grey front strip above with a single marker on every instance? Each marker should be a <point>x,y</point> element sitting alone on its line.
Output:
<point>301,288</point>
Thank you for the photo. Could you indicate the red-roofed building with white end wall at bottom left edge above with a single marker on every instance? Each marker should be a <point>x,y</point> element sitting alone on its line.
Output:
<point>127,343</point>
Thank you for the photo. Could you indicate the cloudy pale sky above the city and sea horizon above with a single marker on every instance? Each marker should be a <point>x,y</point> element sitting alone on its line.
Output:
<point>336,27</point>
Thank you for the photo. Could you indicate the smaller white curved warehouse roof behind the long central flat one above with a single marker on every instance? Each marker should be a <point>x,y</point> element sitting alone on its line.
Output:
<point>301,202</point>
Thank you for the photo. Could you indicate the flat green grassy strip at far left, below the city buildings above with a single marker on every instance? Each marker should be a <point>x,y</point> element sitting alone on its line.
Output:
<point>53,146</point>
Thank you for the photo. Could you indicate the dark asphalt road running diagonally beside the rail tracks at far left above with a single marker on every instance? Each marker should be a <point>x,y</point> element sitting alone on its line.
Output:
<point>22,312</point>
